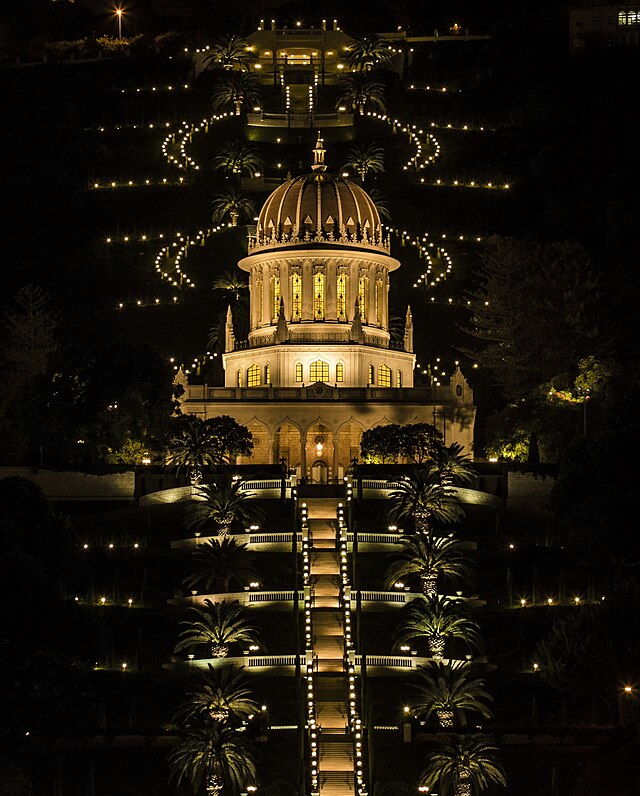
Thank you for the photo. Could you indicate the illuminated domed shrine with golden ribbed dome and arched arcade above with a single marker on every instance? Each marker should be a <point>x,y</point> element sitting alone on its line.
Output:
<point>319,366</point>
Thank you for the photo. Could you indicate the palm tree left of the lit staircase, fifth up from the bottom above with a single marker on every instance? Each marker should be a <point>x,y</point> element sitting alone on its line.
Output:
<point>221,504</point>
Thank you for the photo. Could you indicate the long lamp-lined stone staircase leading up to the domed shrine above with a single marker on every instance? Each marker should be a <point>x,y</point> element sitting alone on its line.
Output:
<point>336,763</point>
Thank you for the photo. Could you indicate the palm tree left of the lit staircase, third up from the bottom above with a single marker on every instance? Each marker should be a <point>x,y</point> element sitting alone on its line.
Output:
<point>218,624</point>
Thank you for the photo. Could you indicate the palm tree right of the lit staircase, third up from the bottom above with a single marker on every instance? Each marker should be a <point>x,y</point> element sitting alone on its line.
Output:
<point>437,619</point>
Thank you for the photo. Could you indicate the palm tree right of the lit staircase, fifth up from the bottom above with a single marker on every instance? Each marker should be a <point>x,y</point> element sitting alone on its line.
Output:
<point>421,496</point>
